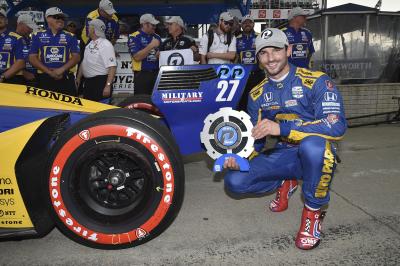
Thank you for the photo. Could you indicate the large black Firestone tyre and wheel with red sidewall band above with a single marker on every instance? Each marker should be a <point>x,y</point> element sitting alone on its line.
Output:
<point>115,180</point>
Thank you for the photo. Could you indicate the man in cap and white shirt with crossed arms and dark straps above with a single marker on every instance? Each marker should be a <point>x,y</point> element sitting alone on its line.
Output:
<point>219,46</point>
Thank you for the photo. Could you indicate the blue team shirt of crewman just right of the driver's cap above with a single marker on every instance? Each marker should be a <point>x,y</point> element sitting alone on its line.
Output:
<point>302,46</point>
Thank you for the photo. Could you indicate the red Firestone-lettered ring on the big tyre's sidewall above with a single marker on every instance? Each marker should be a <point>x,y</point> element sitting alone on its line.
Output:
<point>134,134</point>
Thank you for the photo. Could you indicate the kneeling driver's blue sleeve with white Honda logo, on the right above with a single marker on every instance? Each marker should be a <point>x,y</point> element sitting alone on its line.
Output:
<point>330,122</point>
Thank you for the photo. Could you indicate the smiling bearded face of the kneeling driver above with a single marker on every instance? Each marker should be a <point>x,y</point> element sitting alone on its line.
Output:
<point>274,60</point>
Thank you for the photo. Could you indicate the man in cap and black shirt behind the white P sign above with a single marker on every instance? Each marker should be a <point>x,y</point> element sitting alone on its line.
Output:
<point>177,40</point>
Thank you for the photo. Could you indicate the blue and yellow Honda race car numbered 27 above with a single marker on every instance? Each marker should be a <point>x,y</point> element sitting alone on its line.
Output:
<point>107,177</point>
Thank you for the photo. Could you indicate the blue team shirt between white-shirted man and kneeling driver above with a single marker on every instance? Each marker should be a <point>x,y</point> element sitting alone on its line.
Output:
<point>246,49</point>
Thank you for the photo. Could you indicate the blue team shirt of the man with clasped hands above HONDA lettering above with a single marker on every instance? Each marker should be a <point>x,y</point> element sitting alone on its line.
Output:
<point>54,50</point>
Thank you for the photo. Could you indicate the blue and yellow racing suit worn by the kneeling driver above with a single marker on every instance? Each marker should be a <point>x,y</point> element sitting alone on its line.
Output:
<point>309,110</point>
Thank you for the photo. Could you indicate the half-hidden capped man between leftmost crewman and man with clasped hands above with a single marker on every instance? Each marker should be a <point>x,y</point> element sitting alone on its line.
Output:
<point>25,26</point>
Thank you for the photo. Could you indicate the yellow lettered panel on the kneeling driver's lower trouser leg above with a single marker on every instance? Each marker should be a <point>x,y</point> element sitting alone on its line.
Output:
<point>327,172</point>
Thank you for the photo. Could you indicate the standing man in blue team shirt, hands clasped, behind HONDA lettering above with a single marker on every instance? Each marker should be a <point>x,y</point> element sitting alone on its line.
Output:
<point>54,52</point>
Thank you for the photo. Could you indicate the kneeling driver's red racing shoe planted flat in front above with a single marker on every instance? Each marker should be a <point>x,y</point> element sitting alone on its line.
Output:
<point>309,234</point>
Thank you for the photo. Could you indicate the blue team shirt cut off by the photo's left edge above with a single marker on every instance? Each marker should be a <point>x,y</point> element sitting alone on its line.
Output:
<point>11,49</point>
